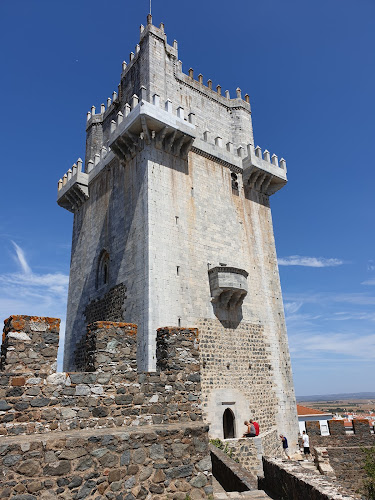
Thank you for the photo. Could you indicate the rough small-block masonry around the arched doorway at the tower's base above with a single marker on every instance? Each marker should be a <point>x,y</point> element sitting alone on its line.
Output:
<point>237,369</point>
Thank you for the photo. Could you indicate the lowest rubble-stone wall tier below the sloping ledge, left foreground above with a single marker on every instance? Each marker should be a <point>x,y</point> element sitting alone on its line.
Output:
<point>139,463</point>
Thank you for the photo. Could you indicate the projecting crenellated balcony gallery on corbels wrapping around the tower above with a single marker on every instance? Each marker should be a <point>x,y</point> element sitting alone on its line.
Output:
<point>169,128</point>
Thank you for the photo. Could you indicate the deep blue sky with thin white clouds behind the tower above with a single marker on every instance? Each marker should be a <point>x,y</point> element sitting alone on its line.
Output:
<point>309,69</point>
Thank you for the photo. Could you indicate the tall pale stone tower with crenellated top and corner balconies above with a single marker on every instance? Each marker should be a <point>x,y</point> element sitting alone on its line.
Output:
<point>172,227</point>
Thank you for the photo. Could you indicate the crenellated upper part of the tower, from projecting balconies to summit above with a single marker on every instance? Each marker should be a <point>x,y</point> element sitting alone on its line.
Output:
<point>144,111</point>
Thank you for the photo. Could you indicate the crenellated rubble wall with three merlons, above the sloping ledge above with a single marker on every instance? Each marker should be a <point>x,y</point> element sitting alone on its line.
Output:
<point>109,391</point>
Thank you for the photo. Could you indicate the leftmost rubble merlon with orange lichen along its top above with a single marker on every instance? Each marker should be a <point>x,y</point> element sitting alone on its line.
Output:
<point>30,345</point>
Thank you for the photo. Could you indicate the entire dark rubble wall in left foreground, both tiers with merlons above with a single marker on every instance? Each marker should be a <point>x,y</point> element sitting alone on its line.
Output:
<point>109,433</point>
